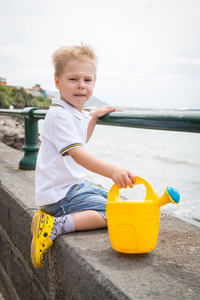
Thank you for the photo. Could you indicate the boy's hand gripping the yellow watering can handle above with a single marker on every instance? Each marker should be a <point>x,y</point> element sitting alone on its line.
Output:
<point>123,177</point>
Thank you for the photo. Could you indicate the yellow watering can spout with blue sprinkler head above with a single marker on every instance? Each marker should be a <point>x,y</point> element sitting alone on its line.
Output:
<point>171,195</point>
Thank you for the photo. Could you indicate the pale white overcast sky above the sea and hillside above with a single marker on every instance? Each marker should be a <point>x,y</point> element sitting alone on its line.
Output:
<point>148,50</point>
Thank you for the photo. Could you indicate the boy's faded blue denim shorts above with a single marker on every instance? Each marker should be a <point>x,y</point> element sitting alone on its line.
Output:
<point>80,197</point>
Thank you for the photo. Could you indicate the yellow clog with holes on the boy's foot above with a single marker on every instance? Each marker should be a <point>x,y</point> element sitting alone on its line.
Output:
<point>41,228</point>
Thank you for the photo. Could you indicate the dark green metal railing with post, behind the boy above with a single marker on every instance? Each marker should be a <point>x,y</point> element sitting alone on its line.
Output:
<point>186,122</point>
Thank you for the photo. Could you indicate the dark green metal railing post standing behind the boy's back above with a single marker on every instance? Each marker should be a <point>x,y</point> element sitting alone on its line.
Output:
<point>30,147</point>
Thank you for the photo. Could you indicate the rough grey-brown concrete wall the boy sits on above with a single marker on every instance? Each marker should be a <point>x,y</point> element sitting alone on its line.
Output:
<point>83,265</point>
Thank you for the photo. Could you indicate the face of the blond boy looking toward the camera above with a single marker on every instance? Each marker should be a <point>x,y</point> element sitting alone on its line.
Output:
<point>76,83</point>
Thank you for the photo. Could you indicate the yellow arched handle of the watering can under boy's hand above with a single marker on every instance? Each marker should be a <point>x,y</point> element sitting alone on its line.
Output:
<point>151,193</point>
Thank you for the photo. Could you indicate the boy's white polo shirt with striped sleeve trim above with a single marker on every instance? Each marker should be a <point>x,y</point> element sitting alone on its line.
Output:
<point>64,128</point>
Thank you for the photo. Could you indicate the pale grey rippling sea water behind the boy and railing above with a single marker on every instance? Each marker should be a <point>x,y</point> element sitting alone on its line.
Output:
<point>161,157</point>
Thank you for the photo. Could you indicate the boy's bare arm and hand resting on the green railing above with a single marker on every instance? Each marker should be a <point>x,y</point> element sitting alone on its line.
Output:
<point>95,115</point>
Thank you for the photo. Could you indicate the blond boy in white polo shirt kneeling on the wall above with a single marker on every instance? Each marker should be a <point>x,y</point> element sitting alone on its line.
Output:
<point>68,203</point>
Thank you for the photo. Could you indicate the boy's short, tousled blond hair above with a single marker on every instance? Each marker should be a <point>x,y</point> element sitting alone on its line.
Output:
<point>65,54</point>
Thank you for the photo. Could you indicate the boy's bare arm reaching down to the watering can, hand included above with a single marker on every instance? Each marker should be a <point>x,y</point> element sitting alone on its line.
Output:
<point>87,160</point>
